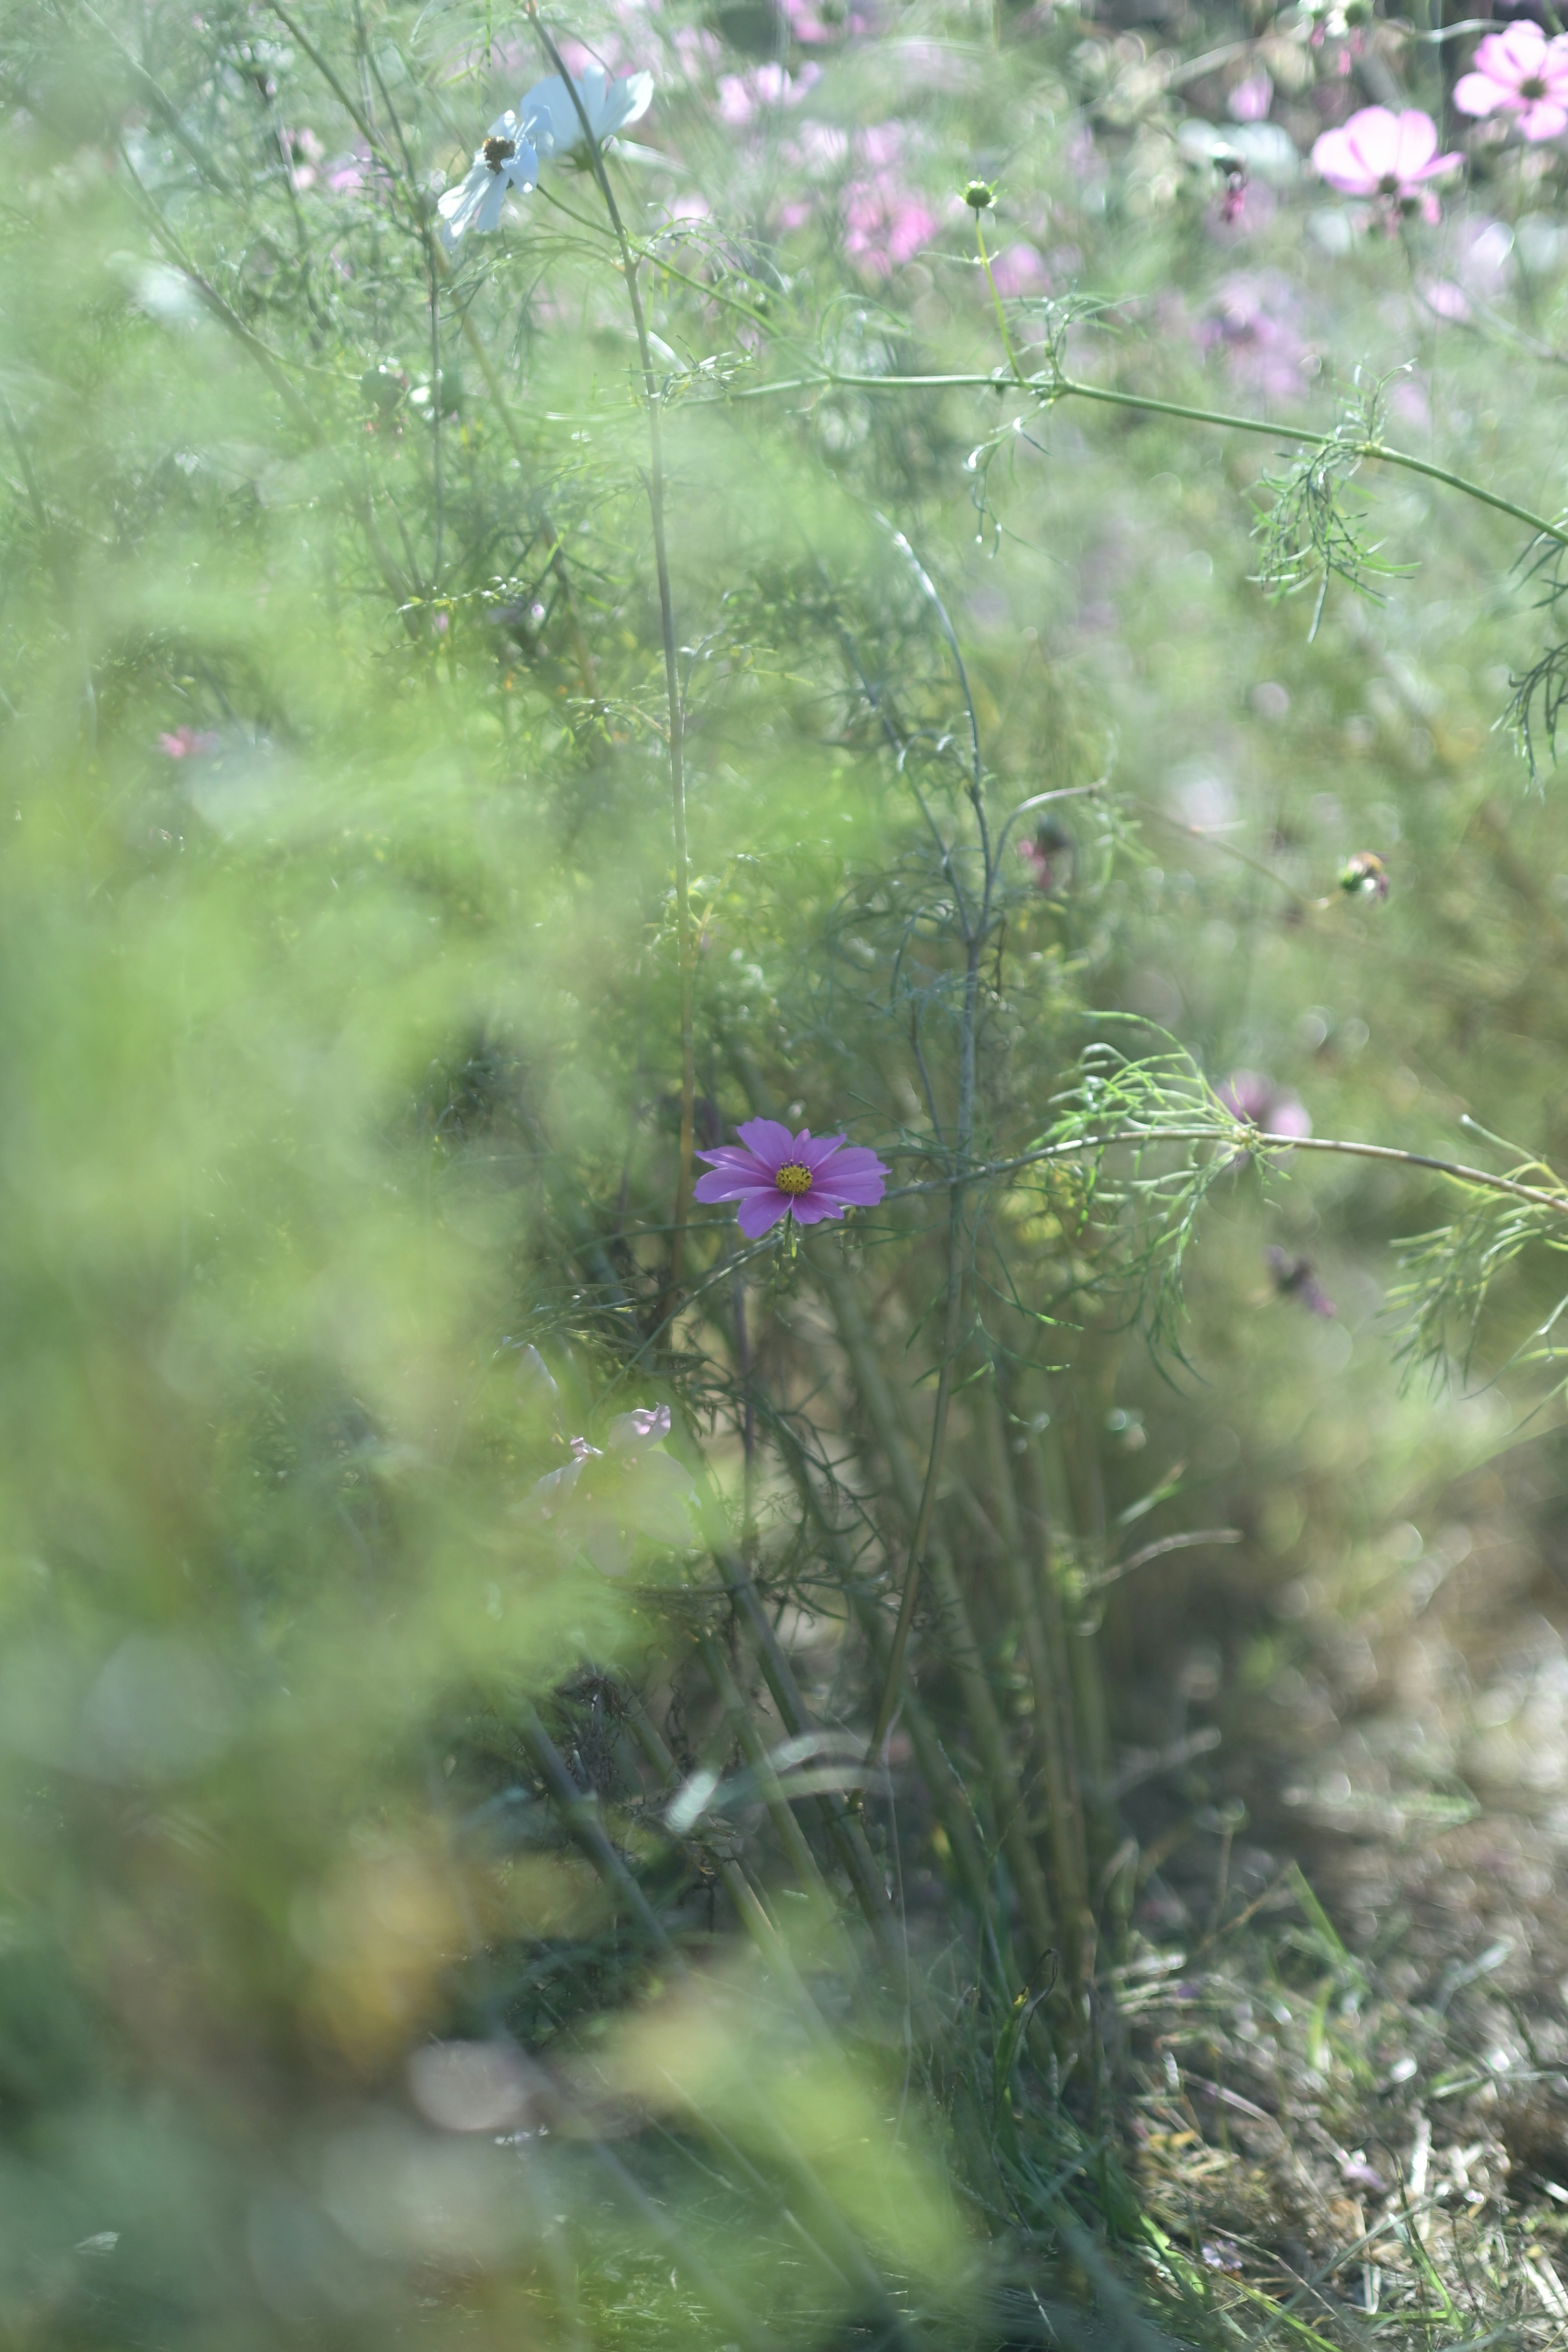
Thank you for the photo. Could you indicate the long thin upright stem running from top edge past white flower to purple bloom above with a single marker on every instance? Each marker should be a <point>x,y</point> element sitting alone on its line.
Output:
<point>655,481</point>
